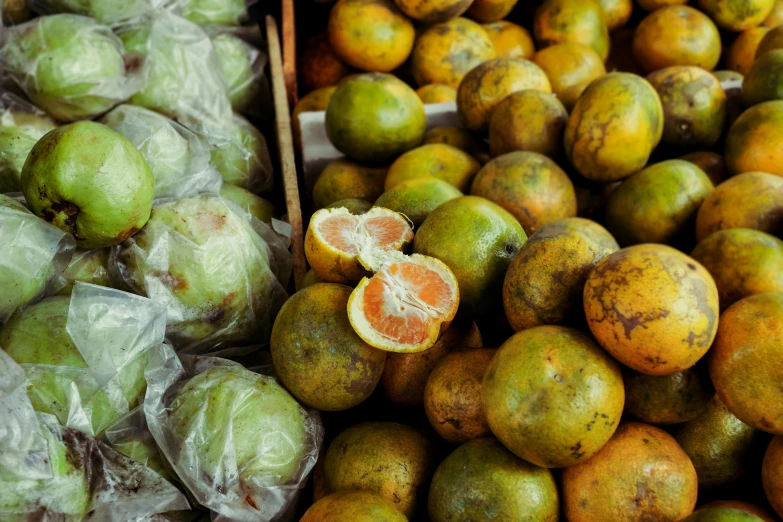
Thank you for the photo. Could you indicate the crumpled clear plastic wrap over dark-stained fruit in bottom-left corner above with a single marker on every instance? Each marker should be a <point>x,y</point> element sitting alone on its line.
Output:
<point>51,473</point>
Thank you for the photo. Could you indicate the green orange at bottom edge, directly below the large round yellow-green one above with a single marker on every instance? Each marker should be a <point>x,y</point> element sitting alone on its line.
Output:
<point>482,481</point>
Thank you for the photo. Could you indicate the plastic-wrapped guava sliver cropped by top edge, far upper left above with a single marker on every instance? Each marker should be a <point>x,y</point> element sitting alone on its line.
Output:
<point>105,11</point>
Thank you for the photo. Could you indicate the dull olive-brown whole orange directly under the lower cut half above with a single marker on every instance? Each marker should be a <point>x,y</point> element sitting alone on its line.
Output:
<point>316,353</point>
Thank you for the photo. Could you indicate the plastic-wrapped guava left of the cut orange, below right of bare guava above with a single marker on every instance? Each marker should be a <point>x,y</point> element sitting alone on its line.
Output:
<point>220,273</point>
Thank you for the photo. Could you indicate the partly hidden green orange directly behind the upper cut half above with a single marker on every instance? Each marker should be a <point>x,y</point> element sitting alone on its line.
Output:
<point>416,198</point>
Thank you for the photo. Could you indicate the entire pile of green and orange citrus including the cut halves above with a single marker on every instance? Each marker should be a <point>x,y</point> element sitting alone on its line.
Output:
<point>586,274</point>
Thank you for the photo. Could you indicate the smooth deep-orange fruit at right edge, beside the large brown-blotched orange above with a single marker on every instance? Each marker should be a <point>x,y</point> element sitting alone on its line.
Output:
<point>746,361</point>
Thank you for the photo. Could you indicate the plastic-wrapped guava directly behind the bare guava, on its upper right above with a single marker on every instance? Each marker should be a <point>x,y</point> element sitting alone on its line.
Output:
<point>179,160</point>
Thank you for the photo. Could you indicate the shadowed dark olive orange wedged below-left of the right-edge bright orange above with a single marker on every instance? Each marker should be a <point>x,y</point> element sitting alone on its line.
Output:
<point>718,444</point>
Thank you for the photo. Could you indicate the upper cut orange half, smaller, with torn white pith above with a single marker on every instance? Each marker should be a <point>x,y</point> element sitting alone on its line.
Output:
<point>341,246</point>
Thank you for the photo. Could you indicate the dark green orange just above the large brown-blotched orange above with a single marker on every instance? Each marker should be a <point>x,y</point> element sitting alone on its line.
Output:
<point>658,204</point>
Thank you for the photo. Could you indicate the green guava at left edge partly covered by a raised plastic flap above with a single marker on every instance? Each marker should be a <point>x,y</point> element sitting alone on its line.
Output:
<point>37,339</point>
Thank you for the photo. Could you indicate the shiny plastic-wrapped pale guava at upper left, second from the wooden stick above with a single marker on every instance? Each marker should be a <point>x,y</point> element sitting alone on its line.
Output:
<point>184,79</point>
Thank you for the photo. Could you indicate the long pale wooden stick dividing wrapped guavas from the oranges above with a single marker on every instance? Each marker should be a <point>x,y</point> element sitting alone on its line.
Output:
<point>285,144</point>
